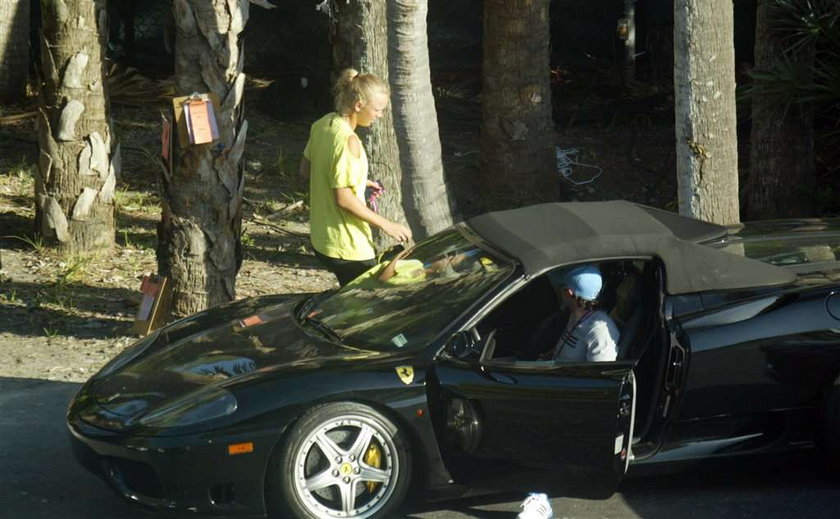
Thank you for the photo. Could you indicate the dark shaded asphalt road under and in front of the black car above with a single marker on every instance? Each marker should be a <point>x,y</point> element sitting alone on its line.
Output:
<point>39,479</point>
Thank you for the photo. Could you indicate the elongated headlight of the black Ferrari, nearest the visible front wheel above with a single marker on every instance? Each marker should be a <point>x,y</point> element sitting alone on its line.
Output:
<point>193,408</point>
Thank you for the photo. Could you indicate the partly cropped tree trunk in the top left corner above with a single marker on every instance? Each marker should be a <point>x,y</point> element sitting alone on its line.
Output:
<point>14,50</point>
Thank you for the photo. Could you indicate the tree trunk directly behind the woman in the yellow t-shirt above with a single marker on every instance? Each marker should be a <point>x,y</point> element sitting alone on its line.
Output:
<point>360,40</point>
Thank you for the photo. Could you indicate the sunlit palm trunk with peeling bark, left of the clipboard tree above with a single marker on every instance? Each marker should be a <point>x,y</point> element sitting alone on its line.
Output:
<point>75,188</point>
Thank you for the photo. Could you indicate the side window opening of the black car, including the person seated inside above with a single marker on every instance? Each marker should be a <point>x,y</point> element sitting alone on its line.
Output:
<point>531,326</point>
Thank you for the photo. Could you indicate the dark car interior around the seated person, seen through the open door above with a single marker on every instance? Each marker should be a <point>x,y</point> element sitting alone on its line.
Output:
<point>518,331</point>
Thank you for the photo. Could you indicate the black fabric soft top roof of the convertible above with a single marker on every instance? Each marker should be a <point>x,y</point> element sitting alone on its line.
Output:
<point>545,236</point>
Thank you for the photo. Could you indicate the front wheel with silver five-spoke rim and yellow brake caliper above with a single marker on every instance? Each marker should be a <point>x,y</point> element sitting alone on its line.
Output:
<point>342,460</point>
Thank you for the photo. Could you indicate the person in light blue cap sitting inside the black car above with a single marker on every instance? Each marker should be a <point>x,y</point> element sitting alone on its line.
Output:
<point>590,334</point>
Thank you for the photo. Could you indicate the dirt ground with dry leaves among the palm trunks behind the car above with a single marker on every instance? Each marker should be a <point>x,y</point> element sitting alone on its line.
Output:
<point>62,318</point>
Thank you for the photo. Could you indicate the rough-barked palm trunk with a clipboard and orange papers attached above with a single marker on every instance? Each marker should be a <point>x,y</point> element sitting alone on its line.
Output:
<point>199,246</point>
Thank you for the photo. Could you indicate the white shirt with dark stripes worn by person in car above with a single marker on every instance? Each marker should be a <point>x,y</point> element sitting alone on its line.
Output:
<point>593,338</point>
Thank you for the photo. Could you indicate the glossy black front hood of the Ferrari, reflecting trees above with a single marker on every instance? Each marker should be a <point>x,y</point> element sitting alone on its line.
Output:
<point>216,348</point>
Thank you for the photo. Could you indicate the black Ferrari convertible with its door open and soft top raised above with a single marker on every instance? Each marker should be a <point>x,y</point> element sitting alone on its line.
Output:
<point>427,372</point>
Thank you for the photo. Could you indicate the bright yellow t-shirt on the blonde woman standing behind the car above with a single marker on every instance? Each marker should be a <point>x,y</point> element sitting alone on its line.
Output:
<point>335,232</point>
